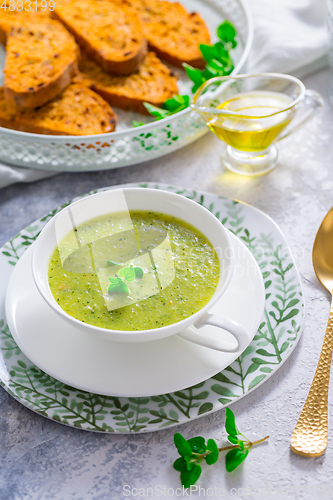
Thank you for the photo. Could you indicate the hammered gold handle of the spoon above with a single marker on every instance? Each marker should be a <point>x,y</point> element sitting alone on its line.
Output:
<point>309,438</point>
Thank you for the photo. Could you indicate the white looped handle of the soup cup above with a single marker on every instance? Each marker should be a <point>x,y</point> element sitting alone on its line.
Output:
<point>239,333</point>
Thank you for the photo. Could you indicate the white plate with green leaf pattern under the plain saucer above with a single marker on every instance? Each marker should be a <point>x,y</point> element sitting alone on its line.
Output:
<point>277,336</point>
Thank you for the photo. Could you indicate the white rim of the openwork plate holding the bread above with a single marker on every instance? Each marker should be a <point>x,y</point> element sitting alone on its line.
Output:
<point>144,128</point>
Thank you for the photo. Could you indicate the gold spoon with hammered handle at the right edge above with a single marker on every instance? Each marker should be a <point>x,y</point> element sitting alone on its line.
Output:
<point>309,438</point>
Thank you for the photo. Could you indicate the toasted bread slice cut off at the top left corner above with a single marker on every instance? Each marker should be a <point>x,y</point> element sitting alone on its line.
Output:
<point>16,18</point>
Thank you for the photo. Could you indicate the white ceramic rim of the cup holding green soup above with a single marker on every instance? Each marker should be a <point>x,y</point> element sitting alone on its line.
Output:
<point>157,333</point>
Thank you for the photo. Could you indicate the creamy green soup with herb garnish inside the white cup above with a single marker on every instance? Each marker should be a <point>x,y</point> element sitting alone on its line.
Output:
<point>133,271</point>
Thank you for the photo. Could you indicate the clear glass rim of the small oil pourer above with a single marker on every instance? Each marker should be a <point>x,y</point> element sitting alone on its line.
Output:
<point>279,76</point>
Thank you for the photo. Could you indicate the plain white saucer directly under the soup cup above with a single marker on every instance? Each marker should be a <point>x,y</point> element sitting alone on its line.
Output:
<point>122,369</point>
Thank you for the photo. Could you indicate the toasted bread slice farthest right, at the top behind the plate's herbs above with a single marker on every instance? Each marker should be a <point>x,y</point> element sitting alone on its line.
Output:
<point>172,32</point>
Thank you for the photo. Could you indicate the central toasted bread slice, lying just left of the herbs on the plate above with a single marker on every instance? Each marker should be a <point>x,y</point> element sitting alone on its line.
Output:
<point>153,83</point>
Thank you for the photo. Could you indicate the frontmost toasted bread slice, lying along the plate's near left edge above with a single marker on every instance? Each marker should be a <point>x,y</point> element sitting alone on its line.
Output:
<point>77,111</point>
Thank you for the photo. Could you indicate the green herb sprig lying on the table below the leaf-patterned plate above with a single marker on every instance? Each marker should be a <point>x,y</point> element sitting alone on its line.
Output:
<point>193,451</point>
